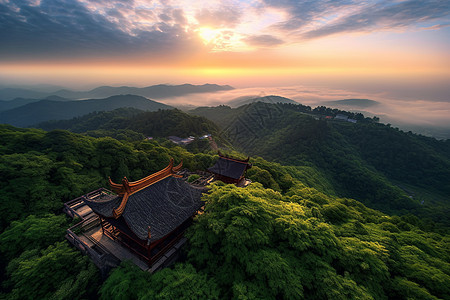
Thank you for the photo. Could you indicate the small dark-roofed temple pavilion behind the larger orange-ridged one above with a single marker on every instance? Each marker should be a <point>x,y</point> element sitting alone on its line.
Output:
<point>230,170</point>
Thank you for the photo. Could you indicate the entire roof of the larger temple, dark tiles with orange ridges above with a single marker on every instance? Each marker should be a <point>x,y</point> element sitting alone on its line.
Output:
<point>160,200</point>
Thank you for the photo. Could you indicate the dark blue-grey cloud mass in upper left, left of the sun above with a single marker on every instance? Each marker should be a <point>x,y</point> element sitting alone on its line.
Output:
<point>70,29</point>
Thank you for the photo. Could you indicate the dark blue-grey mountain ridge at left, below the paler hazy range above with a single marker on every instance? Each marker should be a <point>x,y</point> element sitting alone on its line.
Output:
<point>45,110</point>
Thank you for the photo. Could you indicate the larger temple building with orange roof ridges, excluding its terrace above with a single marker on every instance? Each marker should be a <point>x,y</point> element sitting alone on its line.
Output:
<point>147,216</point>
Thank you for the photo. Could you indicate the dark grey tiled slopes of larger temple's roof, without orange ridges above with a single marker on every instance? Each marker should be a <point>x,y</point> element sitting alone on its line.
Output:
<point>163,206</point>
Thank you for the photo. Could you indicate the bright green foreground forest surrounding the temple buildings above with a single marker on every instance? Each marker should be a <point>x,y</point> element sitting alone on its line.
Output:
<point>279,238</point>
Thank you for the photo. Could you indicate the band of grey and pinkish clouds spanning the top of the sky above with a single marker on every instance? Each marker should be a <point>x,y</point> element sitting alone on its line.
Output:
<point>49,29</point>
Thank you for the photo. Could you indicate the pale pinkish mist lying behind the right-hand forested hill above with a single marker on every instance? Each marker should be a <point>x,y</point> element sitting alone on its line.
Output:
<point>421,115</point>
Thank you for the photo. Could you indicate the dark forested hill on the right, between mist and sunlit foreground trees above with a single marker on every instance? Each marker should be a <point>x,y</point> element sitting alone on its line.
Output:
<point>383,167</point>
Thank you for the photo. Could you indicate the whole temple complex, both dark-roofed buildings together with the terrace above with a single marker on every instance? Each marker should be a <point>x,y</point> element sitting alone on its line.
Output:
<point>144,221</point>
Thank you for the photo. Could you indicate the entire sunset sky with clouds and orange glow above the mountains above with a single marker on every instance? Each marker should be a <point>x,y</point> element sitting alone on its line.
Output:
<point>396,49</point>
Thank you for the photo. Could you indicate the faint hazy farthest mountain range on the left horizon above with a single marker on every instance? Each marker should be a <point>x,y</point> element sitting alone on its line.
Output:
<point>155,92</point>
